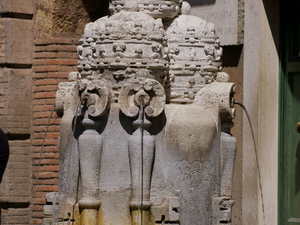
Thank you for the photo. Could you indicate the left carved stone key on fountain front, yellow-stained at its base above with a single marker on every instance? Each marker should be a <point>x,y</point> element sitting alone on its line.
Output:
<point>95,96</point>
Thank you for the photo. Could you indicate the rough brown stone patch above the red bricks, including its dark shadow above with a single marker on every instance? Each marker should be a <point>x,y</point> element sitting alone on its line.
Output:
<point>66,18</point>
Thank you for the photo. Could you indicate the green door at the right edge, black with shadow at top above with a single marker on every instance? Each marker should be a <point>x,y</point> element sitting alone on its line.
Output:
<point>289,155</point>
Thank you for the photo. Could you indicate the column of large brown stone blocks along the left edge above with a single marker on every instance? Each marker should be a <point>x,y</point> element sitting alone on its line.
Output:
<point>16,45</point>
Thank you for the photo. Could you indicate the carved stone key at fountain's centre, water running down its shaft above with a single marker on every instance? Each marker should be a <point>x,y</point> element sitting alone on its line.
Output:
<point>142,99</point>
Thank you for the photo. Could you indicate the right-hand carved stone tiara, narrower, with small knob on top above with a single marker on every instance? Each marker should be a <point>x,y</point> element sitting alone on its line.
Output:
<point>195,56</point>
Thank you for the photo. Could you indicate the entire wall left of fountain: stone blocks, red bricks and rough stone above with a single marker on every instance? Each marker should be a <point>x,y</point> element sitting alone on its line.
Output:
<point>29,73</point>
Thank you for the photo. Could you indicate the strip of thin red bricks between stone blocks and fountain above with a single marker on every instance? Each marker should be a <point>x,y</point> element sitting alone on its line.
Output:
<point>54,58</point>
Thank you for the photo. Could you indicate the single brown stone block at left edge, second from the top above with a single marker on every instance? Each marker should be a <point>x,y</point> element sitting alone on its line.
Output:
<point>16,41</point>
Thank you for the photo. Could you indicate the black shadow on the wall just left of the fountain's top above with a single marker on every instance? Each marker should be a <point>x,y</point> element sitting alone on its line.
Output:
<point>96,9</point>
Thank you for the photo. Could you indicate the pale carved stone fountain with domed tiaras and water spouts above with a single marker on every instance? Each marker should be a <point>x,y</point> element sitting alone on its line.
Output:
<point>145,129</point>
